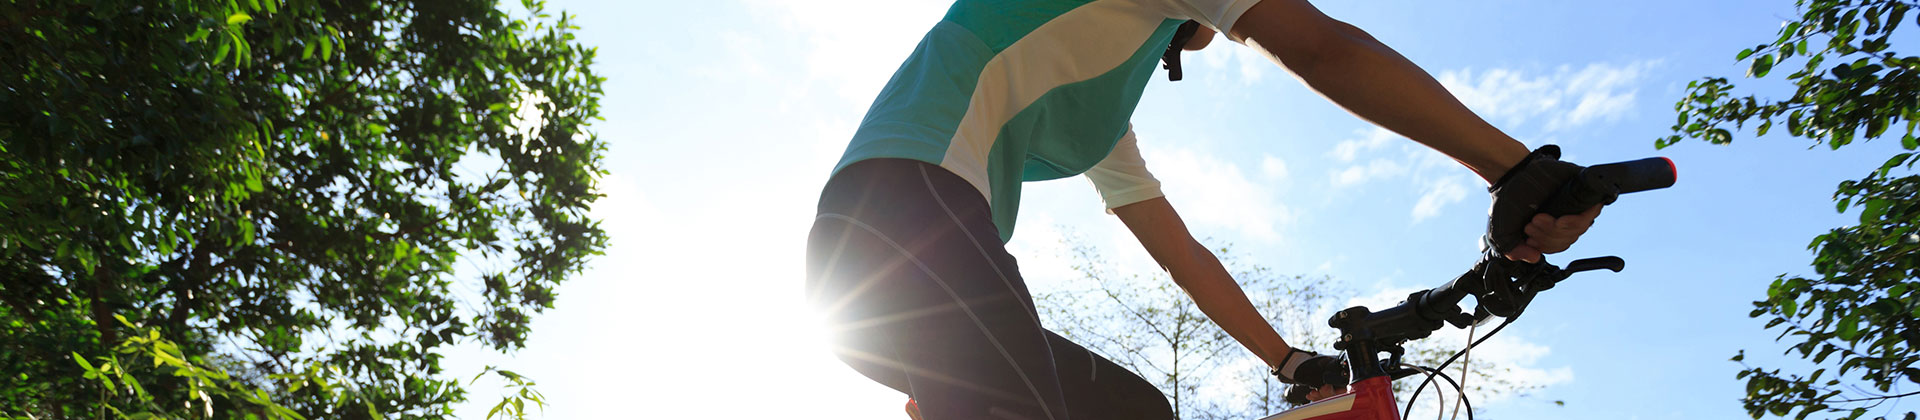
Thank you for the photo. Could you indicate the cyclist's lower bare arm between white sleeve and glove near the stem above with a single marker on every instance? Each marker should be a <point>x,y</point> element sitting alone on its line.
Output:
<point>1205,279</point>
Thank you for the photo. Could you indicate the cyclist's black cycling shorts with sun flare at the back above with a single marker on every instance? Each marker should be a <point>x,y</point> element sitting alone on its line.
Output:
<point>911,275</point>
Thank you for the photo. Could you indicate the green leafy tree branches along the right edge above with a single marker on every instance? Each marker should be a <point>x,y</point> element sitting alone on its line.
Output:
<point>1858,317</point>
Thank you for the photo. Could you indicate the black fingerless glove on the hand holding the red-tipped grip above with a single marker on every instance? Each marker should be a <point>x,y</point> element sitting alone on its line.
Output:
<point>1520,195</point>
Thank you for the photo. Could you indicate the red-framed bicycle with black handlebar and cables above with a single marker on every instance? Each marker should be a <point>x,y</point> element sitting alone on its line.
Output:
<point>1500,289</point>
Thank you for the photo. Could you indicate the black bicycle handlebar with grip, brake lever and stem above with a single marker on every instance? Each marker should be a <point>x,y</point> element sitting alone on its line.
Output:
<point>1500,287</point>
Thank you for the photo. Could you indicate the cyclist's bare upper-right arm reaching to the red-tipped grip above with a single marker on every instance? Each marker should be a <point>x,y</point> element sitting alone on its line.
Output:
<point>1376,83</point>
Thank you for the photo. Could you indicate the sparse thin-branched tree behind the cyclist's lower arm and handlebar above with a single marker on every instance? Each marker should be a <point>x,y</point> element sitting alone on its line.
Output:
<point>1149,325</point>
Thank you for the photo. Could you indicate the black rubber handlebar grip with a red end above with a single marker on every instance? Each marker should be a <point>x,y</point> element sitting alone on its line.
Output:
<point>1604,183</point>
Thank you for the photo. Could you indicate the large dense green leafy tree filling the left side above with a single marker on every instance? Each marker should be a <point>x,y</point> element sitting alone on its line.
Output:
<point>281,185</point>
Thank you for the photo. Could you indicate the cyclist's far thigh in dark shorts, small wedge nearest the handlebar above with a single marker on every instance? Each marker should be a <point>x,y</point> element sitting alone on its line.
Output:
<point>1099,388</point>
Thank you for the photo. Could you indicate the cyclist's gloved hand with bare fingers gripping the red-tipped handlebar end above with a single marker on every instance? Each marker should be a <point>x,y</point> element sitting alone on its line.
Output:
<point>1516,225</point>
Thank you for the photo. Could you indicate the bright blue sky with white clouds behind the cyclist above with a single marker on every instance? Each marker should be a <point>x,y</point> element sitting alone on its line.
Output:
<point>725,118</point>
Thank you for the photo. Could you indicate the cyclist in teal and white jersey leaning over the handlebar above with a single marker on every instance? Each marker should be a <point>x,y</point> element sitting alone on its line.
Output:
<point>907,256</point>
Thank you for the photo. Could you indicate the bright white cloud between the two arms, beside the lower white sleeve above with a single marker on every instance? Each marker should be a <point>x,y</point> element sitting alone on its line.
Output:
<point>1216,193</point>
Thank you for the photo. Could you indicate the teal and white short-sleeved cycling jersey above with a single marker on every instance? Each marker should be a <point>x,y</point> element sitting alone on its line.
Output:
<point>1011,91</point>
